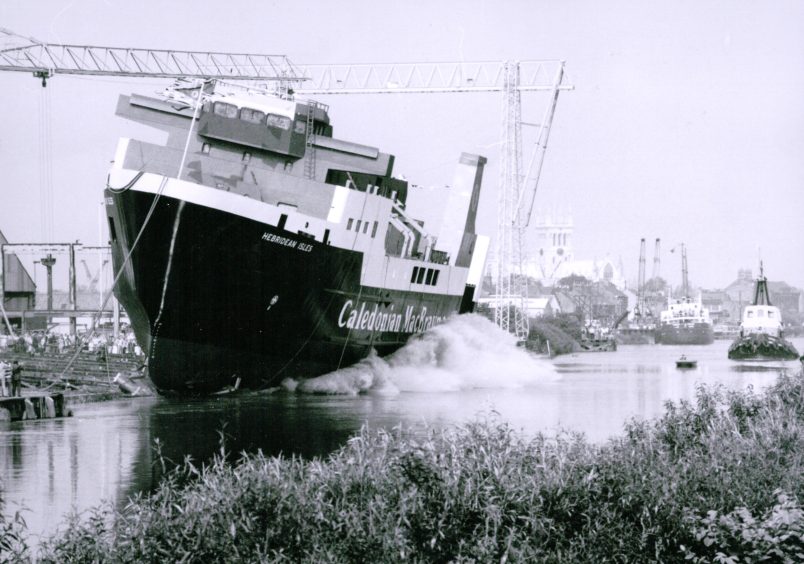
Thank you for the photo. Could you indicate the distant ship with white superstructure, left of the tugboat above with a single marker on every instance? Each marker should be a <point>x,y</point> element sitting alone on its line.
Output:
<point>684,322</point>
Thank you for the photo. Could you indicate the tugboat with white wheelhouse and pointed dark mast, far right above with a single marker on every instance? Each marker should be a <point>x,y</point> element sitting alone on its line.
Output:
<point>761,335</point>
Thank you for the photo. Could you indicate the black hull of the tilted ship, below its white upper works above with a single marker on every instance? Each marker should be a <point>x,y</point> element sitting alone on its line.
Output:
<point>215,298</point>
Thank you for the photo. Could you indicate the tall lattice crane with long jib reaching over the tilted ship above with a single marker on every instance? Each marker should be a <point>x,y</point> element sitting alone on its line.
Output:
<point>517,191</point>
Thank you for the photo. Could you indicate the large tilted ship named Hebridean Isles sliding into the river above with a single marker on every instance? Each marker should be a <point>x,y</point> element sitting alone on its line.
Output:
<point>254,246</point>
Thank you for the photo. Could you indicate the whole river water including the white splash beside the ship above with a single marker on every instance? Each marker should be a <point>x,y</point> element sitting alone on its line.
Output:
<point>455,373</point>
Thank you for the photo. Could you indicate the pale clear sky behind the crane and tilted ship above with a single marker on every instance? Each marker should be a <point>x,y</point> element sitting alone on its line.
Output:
<point>686,121</point>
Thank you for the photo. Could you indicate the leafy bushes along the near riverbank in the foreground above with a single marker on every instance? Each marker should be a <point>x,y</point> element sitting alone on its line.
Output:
<point>720,480</point>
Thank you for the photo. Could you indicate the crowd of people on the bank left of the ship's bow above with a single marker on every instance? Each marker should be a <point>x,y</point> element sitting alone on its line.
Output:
<point>39,342</point>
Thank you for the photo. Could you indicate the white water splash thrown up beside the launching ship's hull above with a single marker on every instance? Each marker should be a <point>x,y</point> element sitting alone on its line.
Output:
<point>466,352</point>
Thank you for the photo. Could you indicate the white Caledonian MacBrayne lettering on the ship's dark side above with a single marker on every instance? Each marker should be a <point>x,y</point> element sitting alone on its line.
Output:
<point>366,318</point>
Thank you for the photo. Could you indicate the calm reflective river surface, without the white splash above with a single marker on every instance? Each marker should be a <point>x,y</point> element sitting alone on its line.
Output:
<point>106,451</point>
